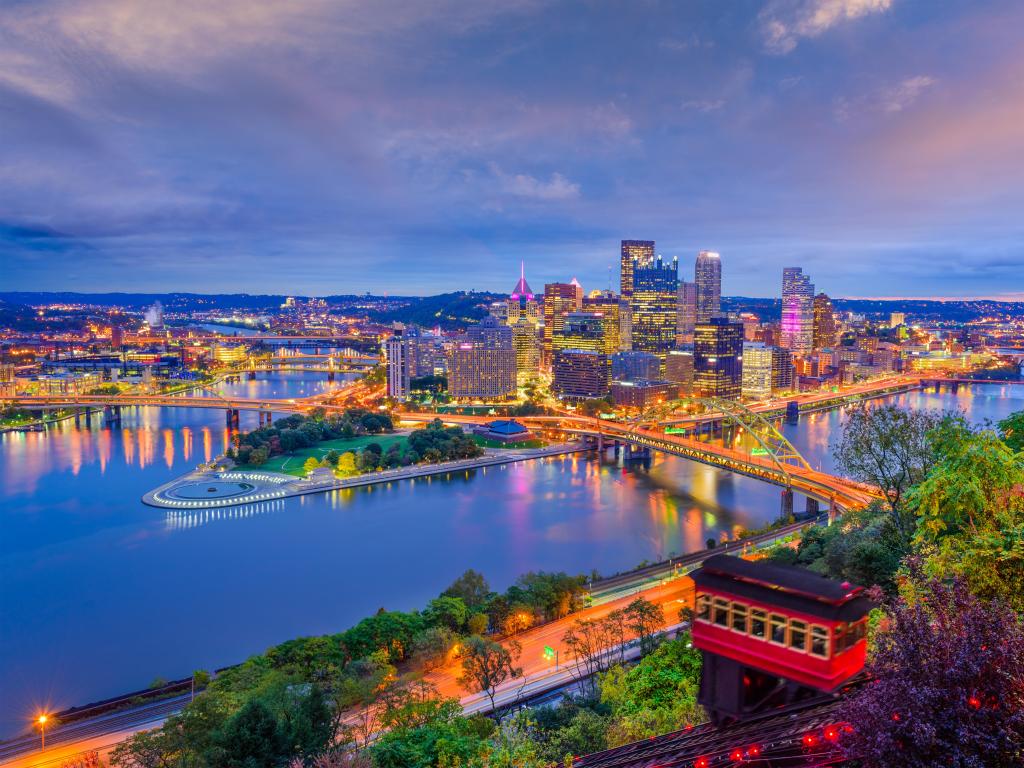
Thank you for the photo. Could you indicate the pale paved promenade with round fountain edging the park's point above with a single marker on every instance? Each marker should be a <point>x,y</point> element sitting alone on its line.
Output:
<point>226,488</point>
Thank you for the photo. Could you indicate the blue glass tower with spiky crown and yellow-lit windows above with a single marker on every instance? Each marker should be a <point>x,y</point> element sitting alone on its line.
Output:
<point>655,307</point>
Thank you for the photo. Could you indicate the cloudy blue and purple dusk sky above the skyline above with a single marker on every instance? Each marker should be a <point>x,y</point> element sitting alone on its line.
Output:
<point>333,147</point>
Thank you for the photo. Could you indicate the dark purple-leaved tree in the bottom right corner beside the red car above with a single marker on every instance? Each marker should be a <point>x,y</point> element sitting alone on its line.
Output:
<point>948,684</point>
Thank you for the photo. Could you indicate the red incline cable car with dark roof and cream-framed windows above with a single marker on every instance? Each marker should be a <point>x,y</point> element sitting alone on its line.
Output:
<point>774,634</point>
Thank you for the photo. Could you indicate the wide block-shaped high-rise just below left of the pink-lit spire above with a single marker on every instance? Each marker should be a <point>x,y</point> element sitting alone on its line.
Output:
<point>482,363</point>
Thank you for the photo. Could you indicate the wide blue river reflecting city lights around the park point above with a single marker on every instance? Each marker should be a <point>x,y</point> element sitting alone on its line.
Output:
<point>101,594</point>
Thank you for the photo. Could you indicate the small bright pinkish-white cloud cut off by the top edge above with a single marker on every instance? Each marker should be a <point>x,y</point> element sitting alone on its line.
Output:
<point>784,23</point>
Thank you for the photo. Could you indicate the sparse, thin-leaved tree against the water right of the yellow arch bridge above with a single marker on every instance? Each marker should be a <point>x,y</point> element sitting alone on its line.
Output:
<point>888,447</point>
